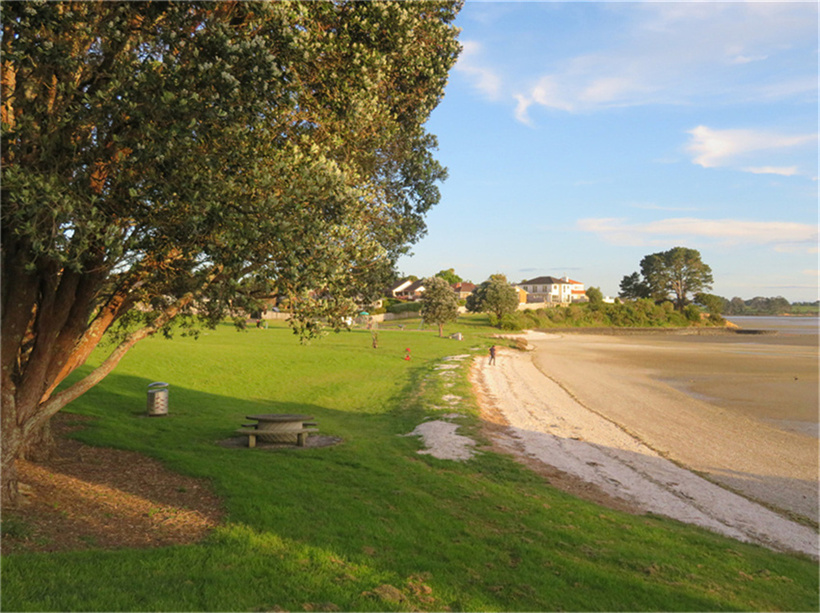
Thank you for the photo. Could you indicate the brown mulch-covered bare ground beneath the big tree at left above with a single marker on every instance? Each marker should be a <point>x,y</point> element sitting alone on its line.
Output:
<point>95,497</point>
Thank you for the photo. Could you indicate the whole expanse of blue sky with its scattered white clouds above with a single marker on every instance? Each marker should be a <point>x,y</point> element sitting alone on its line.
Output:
<point>580,137</point>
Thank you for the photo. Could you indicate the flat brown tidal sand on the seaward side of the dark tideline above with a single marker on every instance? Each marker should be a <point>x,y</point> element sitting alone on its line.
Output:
<point>742,412</point>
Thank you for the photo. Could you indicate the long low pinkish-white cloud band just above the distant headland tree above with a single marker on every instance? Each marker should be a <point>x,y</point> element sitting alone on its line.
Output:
<point>780,235</point>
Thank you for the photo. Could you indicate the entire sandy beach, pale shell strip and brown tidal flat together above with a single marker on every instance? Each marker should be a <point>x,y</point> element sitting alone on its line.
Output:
<point>715,431</point>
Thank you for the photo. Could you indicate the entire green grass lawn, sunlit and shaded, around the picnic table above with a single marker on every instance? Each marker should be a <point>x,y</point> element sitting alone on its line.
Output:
<point>369,524</point>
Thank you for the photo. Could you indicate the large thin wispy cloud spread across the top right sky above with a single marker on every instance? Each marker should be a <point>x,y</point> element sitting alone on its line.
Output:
<point>680,53</point>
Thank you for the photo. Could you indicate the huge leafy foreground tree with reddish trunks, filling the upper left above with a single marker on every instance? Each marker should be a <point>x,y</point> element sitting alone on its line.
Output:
<point>166,159</point>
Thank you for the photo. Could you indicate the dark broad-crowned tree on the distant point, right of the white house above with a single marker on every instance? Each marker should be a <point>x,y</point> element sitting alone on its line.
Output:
<point>676,273</point>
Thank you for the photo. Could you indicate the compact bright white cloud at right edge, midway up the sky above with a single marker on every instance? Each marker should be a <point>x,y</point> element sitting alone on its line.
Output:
<point>711,148</point>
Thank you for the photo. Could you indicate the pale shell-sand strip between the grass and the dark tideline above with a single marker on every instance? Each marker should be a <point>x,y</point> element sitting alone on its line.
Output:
<point>549,424</point>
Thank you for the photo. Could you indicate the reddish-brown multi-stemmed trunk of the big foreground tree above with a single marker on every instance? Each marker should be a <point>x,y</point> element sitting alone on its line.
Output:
<point>42,343</point>
